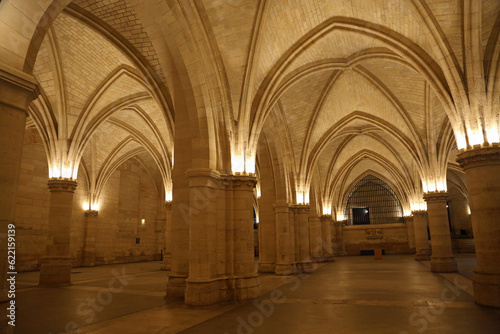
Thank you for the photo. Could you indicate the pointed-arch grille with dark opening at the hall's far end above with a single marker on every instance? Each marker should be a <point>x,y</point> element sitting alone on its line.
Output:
<point>372,201</point>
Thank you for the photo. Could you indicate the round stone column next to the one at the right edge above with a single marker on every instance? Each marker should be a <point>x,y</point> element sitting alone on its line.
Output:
<point>442,259</point>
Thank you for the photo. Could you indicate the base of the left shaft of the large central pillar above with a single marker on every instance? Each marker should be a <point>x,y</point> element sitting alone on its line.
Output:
<point>205,293</point>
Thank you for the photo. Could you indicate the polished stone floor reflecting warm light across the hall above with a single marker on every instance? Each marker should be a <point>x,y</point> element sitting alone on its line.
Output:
<point>351,295</point>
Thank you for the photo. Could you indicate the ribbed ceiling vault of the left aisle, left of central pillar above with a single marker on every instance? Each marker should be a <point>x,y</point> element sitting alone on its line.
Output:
<point>98,104</point>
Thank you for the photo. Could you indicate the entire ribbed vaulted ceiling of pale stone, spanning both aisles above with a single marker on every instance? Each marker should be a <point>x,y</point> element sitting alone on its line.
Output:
<point>328,83</point>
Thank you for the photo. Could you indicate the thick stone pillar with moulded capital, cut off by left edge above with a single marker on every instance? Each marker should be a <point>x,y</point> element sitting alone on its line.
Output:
<point>16,93</point>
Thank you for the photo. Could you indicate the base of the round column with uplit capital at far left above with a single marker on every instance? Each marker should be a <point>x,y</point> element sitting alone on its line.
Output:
<point>55,272</point>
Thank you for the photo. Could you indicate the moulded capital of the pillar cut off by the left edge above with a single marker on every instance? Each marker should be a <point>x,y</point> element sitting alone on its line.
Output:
<point>17,89</point>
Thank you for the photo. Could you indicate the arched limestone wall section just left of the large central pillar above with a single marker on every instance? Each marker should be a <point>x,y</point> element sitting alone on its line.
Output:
<point>128,198</point>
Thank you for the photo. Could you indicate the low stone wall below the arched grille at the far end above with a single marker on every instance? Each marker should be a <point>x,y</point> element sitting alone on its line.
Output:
<point>394,239</point>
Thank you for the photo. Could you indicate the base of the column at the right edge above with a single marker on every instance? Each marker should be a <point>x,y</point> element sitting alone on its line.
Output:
<point>487,289</point>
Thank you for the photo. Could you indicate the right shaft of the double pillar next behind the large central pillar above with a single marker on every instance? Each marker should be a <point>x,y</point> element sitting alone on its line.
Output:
<point>301,213</point>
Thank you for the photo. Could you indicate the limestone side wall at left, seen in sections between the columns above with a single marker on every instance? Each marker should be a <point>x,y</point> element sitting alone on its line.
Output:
<point>127,198</point>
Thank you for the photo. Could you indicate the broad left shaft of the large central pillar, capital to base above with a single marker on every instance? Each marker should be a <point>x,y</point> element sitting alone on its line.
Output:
<point>203,285</point>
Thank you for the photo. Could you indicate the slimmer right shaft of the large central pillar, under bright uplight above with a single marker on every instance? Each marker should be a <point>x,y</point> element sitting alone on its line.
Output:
<point>245,273</point>
